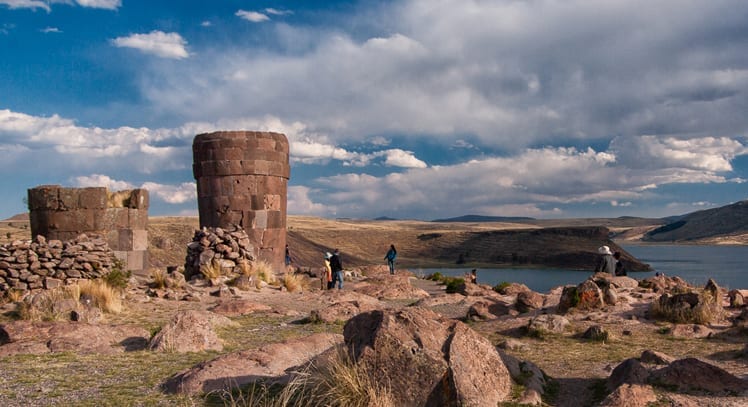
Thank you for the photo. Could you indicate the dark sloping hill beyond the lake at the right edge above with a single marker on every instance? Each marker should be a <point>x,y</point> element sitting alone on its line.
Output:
<point>727,220</point>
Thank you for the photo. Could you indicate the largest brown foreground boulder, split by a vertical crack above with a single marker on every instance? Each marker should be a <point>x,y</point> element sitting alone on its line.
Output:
<point>426,359</point>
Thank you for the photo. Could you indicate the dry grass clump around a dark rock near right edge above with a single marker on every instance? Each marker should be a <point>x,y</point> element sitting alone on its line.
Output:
<point>703,308</point>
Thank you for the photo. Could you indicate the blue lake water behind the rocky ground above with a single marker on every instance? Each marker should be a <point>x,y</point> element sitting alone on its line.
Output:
<point>728,265</point>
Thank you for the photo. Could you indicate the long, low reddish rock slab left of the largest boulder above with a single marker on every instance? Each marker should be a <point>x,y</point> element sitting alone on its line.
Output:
<point>271,363</point>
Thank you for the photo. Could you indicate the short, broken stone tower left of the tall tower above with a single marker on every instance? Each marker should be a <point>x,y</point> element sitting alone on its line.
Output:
<point>121,218</point>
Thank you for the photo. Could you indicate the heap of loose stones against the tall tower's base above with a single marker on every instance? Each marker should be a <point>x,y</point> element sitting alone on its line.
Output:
<point>215,245</point>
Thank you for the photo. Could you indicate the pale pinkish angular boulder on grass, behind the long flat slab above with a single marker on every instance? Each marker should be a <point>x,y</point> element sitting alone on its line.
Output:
<point>190,331</point>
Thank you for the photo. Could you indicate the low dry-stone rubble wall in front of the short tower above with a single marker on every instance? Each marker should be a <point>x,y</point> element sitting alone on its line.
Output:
<point>42,264</point>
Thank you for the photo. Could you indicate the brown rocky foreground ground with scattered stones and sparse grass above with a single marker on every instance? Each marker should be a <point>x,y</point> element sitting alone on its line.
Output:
<point>155,351</point>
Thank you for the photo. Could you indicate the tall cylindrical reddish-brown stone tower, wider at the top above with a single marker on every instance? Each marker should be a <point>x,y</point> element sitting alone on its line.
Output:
<point>242,177</point>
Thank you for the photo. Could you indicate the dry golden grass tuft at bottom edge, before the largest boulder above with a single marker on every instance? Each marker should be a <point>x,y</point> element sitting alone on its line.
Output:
<point>338,383</point>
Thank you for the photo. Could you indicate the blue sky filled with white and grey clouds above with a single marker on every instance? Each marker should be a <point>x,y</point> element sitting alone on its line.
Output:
<point>416,109</point>
